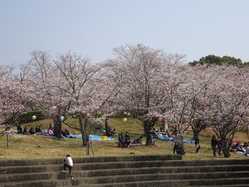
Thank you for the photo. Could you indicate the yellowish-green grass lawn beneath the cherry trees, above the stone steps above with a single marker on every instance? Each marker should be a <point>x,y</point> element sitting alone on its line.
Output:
<point>35,147</point>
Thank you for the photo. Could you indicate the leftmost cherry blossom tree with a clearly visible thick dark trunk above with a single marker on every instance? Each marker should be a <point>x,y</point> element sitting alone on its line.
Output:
<point>45,87</point>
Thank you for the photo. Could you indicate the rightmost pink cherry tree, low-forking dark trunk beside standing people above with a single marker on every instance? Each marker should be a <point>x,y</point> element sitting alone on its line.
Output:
<point>228,104</point>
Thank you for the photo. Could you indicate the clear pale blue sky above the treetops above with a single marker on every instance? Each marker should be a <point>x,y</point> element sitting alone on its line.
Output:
<point>92,28</point>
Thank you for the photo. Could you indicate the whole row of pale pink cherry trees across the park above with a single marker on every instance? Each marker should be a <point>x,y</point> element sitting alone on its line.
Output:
<point>144,81</point>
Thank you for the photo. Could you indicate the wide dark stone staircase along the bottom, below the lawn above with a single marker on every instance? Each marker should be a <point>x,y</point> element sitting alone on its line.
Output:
<point>134,171</point>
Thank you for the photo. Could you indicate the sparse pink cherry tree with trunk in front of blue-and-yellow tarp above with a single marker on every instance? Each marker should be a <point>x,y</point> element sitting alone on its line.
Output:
<point>89,87</point>
